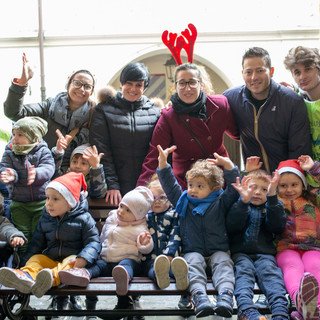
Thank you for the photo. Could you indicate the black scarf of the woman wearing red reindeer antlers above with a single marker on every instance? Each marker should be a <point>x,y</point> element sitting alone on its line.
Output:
<point>196,109</point>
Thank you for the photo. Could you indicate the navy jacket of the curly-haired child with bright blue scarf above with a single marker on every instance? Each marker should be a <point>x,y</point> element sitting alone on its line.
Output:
<point>205,234</point>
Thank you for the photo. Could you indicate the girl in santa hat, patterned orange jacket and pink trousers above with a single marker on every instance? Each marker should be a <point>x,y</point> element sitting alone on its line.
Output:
<point>299,245</point>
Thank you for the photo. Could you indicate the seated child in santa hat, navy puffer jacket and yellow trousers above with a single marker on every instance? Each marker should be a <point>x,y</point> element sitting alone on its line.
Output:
<point>65,237</point>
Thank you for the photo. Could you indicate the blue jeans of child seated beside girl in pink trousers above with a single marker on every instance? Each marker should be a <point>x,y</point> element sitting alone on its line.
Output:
<point>262,269</point>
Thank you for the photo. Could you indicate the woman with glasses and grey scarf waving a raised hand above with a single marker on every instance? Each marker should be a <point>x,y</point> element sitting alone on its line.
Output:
<point>68,111</point>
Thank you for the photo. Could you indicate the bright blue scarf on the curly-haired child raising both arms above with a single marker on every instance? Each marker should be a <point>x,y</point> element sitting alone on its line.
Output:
<point>201,204</point>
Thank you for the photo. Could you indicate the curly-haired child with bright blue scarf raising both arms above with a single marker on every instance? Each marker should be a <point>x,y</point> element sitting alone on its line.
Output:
<point>202,210</point>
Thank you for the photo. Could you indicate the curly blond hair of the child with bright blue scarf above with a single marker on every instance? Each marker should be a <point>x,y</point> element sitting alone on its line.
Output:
<point>211,173</point>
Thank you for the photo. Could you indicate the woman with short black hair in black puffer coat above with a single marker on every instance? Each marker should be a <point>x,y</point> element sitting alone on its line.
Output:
<point>122,129</point>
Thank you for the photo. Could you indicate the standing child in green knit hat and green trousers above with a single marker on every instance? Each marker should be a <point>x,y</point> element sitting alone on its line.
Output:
<point>27,167</point>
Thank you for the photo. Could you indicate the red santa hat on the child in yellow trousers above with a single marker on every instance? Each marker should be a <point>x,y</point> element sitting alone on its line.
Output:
<point>69,186</point>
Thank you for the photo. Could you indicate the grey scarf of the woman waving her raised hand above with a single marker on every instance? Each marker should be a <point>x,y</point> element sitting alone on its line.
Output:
<point>60,112</point>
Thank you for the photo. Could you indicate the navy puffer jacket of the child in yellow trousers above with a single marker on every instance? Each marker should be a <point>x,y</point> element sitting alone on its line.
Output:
<point>74,234</point>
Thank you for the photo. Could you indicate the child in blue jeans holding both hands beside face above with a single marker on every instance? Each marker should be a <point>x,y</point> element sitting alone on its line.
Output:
<point>253,223</point>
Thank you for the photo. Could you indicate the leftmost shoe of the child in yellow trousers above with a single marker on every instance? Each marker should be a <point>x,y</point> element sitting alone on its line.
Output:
<point>17,279</point>
